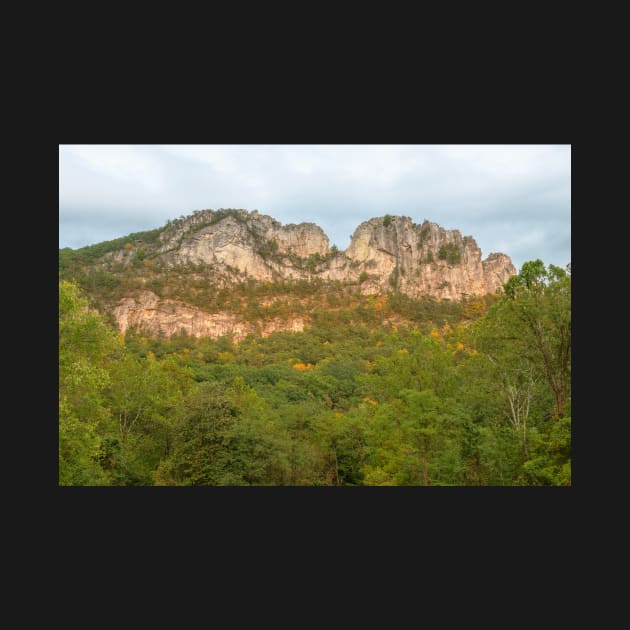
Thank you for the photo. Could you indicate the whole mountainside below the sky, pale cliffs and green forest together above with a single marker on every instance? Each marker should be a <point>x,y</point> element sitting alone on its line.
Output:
<point>227,349</point>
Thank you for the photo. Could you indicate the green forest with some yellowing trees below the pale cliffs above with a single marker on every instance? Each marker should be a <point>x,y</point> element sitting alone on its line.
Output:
<point>476,393</point>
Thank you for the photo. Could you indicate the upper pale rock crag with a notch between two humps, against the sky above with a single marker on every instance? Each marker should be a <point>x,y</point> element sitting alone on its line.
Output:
<point>385,252</point>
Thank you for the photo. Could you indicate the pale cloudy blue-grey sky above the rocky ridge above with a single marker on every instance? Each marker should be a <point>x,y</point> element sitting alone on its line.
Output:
<point>514,199</point>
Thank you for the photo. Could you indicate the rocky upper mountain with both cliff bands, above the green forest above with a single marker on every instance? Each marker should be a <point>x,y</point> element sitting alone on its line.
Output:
<point>233,272</point>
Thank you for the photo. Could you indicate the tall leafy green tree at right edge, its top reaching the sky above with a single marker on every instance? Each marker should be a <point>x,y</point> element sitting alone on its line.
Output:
<point>520,380</point>
